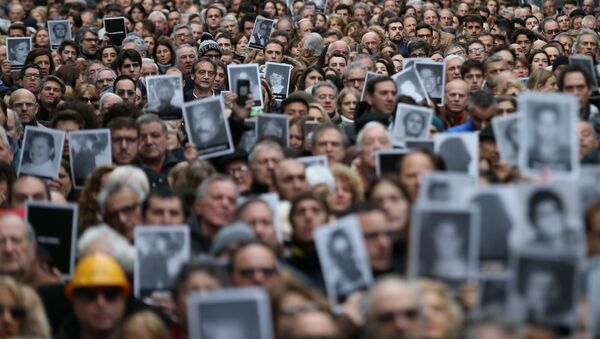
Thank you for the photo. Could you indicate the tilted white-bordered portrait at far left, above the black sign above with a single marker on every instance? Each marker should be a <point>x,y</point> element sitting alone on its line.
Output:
<point>41,152</point>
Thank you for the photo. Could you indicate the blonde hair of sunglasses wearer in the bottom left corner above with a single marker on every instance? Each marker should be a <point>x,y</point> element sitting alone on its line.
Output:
<point>35,323</point>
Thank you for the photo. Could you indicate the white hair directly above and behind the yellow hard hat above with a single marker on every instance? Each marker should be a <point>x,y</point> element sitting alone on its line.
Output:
<point>104,237</point>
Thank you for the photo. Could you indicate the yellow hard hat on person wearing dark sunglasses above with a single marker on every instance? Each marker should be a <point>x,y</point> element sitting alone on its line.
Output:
<point>98,270</point>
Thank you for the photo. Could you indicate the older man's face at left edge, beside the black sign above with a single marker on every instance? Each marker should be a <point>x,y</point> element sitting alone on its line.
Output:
<point>17,253</point>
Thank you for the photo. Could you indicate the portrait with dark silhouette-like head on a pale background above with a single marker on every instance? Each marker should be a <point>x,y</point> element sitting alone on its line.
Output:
<point>460,152</point>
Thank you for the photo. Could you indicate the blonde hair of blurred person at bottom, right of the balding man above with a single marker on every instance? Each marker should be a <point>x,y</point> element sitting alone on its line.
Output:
<point>452,309</point>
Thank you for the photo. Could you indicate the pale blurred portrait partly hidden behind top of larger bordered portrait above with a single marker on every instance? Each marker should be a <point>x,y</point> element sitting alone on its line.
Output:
<point>446,188</point>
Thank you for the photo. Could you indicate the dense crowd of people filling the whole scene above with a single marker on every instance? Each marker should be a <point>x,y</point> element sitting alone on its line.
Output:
<point>491,51</point>
